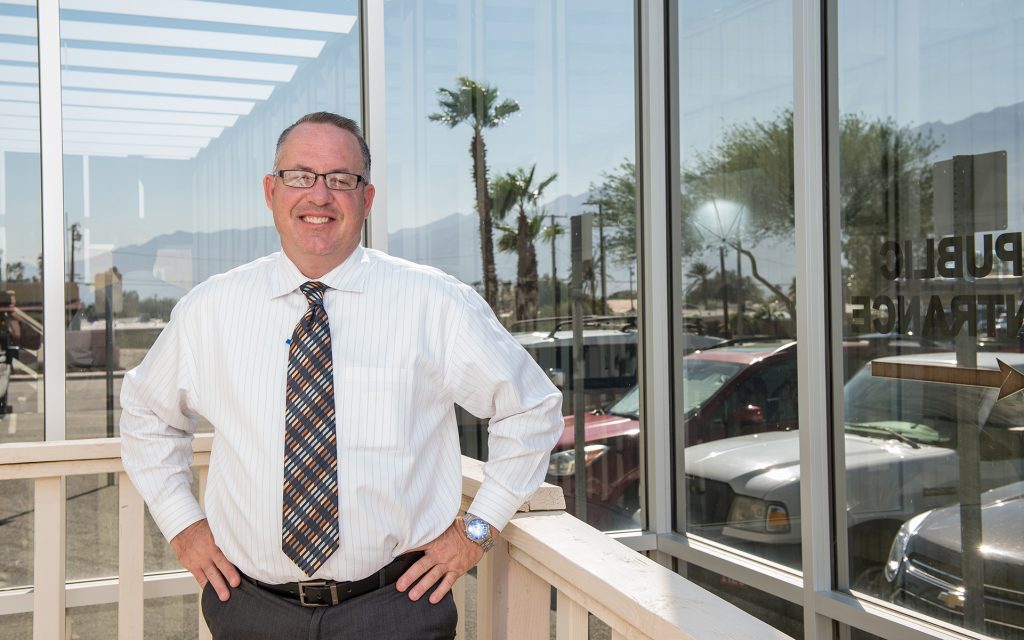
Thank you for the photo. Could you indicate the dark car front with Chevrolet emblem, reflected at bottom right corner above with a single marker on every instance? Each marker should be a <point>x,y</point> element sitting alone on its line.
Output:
<point>926,560</point>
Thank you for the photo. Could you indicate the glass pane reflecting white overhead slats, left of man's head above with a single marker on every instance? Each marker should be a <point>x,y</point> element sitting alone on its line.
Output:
<point>170,121</point>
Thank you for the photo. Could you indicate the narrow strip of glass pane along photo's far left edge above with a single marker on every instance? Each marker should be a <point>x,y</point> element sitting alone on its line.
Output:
<point>21,229</point>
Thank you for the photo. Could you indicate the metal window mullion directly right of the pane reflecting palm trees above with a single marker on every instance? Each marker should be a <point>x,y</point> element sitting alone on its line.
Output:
<point>657,288</point>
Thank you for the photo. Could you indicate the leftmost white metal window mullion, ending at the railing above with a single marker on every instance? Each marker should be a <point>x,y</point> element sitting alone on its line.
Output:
<point>52,165</point>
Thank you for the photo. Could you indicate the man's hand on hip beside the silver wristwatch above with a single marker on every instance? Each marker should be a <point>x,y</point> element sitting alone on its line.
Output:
<point>446,560</point>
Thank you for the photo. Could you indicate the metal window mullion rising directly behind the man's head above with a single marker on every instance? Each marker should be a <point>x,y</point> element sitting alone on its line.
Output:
<point>374,114</point>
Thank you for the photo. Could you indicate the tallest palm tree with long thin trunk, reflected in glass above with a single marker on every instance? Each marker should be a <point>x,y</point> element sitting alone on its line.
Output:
<point>478,105</point>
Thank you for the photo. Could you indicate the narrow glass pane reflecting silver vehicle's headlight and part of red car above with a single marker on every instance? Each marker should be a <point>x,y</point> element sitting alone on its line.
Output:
<point>741,485</point>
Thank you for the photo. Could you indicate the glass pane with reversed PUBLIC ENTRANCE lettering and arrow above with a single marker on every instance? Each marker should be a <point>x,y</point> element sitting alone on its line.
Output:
<point>930,187</point>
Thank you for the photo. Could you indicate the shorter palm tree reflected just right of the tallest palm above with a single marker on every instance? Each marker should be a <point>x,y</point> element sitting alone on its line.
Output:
<point>517,190</point>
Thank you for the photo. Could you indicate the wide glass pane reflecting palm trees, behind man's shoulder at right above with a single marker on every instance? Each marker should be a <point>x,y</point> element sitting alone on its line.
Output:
<point>506,120</point>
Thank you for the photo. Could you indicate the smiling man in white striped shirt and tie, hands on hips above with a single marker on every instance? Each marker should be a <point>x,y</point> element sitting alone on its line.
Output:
<point>329,373</point>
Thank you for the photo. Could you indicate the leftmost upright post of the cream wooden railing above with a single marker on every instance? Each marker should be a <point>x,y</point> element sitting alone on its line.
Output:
<point>49,620</point>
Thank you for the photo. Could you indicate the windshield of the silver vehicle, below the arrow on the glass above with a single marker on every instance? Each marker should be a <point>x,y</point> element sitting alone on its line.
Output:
<point>922,412</point>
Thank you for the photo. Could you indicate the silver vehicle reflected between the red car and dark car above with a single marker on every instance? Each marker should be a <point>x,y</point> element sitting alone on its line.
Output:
<point>902,459</point>
